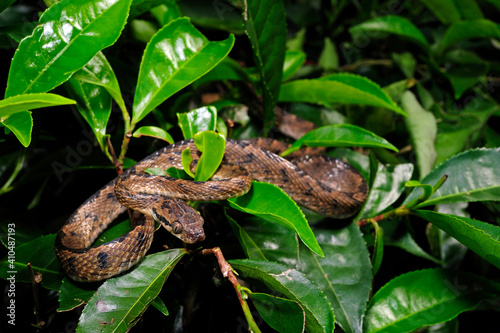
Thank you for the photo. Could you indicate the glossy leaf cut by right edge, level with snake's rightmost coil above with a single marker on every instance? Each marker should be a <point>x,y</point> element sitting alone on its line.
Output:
<point>472,176</point>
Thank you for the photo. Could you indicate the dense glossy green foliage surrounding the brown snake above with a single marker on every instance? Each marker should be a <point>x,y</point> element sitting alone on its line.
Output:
<point>402,90</point>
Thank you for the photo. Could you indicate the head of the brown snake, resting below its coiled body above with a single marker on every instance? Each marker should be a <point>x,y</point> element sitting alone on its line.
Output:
<point>181,220</point>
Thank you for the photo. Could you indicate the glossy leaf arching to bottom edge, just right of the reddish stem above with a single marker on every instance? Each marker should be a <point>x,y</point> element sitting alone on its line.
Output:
<point>295,286</point>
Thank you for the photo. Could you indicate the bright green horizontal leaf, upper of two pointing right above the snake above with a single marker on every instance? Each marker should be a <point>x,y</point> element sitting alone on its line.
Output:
<point>338,89</point>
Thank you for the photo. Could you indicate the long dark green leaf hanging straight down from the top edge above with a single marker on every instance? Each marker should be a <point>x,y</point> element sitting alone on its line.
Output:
<point>265,25</point>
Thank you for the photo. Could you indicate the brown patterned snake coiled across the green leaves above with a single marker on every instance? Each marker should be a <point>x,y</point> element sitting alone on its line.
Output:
<point>322,184</point>
